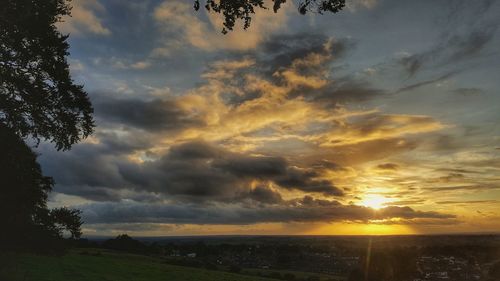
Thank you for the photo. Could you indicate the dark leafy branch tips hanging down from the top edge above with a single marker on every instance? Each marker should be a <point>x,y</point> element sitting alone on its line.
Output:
<point>234,10</point>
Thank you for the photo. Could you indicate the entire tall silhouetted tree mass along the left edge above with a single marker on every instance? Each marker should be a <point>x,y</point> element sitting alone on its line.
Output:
<point>38,99</point>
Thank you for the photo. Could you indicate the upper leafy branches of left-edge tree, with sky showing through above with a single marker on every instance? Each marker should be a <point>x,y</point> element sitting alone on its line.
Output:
<point>38,98</point>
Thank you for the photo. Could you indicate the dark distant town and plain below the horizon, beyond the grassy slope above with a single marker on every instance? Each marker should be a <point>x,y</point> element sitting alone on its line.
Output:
<point>359,258</point>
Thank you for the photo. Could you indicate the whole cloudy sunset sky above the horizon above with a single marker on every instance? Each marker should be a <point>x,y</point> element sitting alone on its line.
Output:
<point>381,119</point>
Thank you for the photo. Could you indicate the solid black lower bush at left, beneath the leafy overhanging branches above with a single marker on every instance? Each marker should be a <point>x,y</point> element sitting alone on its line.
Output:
<point>26,220</point>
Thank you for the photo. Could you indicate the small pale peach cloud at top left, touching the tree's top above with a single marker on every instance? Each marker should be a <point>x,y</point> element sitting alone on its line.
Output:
<point>84,19</point>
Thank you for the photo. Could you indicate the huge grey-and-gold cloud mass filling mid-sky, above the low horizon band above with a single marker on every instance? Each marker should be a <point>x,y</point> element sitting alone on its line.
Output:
<point>251,128</point>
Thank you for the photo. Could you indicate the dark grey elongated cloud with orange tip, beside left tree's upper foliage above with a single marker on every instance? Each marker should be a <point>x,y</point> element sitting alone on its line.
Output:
<point>155,115</point>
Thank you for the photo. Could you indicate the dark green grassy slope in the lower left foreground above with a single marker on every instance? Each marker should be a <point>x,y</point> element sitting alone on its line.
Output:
<point>107,267</point>
